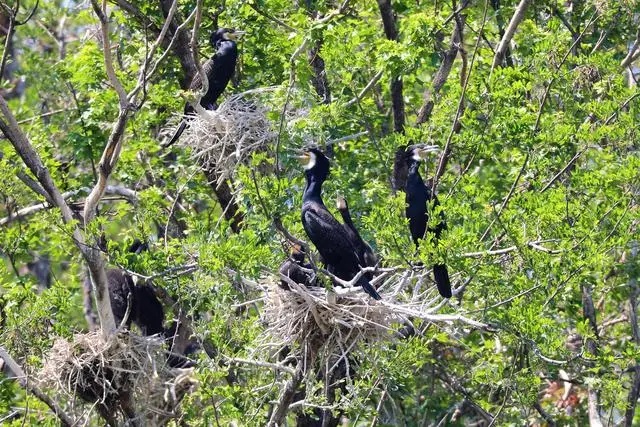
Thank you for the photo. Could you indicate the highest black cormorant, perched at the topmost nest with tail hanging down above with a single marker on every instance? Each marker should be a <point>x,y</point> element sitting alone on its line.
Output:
<point>218,70</point>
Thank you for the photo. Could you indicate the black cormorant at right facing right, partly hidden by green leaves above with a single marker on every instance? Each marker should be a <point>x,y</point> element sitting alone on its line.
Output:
<point>418,197</point>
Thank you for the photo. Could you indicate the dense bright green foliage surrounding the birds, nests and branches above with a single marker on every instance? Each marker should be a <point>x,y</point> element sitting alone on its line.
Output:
<point>540,191</point>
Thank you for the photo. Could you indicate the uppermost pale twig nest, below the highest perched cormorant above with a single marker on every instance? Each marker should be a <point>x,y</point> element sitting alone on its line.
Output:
<point>222,139</point>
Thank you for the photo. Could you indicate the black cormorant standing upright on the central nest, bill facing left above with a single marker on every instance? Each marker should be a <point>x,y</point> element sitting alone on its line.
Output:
<point>327,234</point>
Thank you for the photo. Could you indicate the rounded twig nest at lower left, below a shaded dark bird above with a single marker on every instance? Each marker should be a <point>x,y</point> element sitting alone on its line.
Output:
<point>124,374</point>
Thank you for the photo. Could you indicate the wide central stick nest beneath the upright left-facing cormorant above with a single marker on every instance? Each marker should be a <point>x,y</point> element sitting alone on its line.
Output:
<point>340,320</point>
